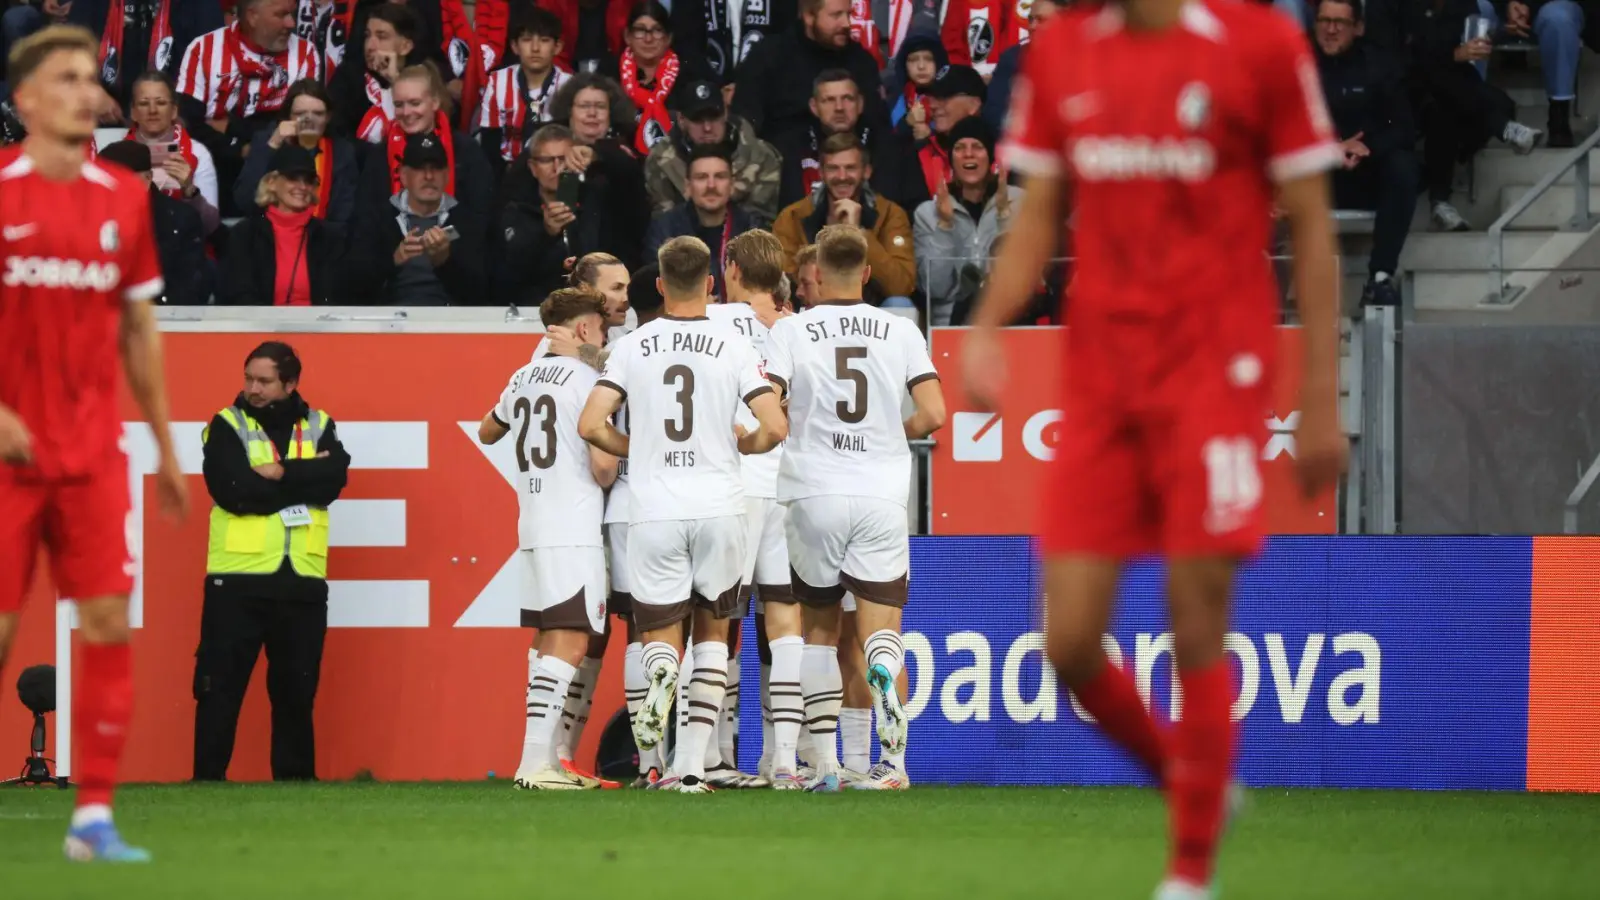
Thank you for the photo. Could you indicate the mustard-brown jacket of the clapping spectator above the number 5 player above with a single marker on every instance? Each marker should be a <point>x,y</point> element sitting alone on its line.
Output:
<point>890,251</point>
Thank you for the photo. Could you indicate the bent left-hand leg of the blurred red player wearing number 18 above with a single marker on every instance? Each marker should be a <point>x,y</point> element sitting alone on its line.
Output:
<point>1079,597</point>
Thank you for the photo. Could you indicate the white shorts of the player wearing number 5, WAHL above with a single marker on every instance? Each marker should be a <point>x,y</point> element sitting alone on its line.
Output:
<point>849,544</point>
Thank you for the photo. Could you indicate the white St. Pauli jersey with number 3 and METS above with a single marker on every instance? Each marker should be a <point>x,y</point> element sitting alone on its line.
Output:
<point>684,382</point>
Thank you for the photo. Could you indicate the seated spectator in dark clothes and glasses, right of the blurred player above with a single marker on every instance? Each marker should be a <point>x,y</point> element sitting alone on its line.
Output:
<point>1370,113</point>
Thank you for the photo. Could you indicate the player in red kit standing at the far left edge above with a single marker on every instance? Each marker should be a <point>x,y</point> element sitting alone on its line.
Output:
<point>81,270</point>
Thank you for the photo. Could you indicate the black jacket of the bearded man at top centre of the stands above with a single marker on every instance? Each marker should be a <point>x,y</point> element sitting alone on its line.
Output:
<point>775,84</point>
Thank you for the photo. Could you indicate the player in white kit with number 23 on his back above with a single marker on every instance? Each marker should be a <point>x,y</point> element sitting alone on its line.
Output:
<point>561,497</point>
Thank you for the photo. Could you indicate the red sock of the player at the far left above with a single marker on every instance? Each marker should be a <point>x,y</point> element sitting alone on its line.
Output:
<point>102,707</point>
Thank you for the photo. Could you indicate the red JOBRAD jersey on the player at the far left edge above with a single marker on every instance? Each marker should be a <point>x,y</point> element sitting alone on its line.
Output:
<point>76,252</point>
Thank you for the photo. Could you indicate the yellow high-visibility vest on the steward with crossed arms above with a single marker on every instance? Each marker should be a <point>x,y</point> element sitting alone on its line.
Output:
<point>257,545</point>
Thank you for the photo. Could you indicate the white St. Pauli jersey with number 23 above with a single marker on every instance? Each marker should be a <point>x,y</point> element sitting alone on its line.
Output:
<point>558,497</point>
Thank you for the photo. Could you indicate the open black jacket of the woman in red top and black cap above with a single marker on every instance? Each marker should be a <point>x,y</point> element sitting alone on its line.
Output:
<point>250,267</point>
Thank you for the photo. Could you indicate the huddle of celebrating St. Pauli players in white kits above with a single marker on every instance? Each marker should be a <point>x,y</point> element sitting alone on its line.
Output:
<point>670,459</point>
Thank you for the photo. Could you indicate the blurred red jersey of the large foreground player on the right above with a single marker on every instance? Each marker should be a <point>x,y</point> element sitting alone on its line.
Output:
<point>1172,143</point>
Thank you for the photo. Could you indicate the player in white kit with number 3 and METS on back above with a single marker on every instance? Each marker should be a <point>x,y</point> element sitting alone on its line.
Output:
<point>684,379</point>
